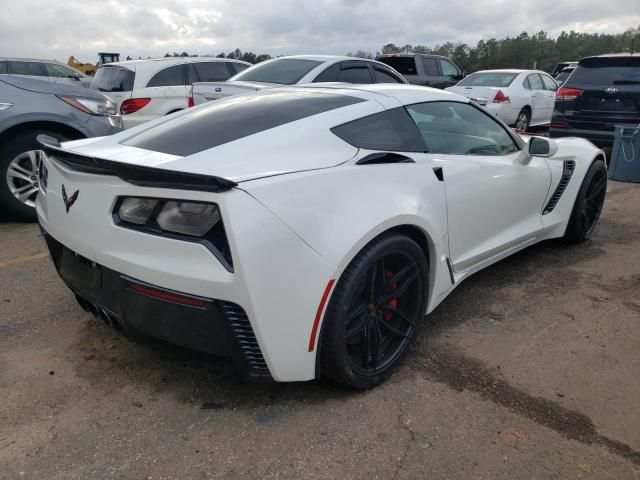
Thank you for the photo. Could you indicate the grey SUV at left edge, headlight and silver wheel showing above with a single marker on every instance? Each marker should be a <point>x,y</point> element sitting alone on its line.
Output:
<point>30,107</point>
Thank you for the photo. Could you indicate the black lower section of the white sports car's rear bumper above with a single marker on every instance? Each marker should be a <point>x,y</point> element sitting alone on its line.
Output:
<point>138,308</point>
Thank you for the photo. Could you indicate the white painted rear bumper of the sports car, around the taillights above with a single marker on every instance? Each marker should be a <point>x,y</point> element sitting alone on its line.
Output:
<point>270,261</point>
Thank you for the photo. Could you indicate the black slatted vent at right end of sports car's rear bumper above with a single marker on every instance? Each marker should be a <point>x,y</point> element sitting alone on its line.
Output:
<point>246,339</point>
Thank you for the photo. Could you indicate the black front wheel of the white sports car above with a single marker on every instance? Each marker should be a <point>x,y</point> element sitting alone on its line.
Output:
<point>588,204</point>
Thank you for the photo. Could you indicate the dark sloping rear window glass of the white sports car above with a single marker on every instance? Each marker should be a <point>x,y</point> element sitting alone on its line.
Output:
<point>227,120</point>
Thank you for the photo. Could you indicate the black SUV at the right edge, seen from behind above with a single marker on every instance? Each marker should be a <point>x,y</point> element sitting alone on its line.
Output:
<point>601,92</point>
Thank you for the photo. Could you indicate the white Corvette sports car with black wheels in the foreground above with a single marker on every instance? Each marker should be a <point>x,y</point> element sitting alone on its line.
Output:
<point>305,231</point>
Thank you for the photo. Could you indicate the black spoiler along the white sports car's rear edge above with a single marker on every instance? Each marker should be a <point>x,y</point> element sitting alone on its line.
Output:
<point>134,174</point>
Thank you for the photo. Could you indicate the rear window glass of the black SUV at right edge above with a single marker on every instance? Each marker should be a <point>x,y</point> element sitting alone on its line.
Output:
<point>608,71</point>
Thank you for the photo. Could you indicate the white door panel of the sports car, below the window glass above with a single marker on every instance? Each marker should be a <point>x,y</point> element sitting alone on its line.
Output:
<point>493,202</point>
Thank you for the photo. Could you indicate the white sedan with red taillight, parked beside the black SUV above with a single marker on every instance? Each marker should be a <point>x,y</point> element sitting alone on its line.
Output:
<point>521,98</point>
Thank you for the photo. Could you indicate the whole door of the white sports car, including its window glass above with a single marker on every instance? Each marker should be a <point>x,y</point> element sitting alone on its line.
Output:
<point>495,191</point>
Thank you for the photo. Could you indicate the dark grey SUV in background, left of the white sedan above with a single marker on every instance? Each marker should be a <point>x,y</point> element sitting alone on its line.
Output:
<point>422,69</point>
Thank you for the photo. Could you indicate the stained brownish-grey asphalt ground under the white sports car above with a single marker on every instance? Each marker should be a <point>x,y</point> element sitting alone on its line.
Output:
<point>528,370</point>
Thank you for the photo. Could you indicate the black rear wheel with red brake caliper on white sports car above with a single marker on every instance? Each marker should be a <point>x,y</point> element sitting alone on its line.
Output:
<point>391,263</point>
